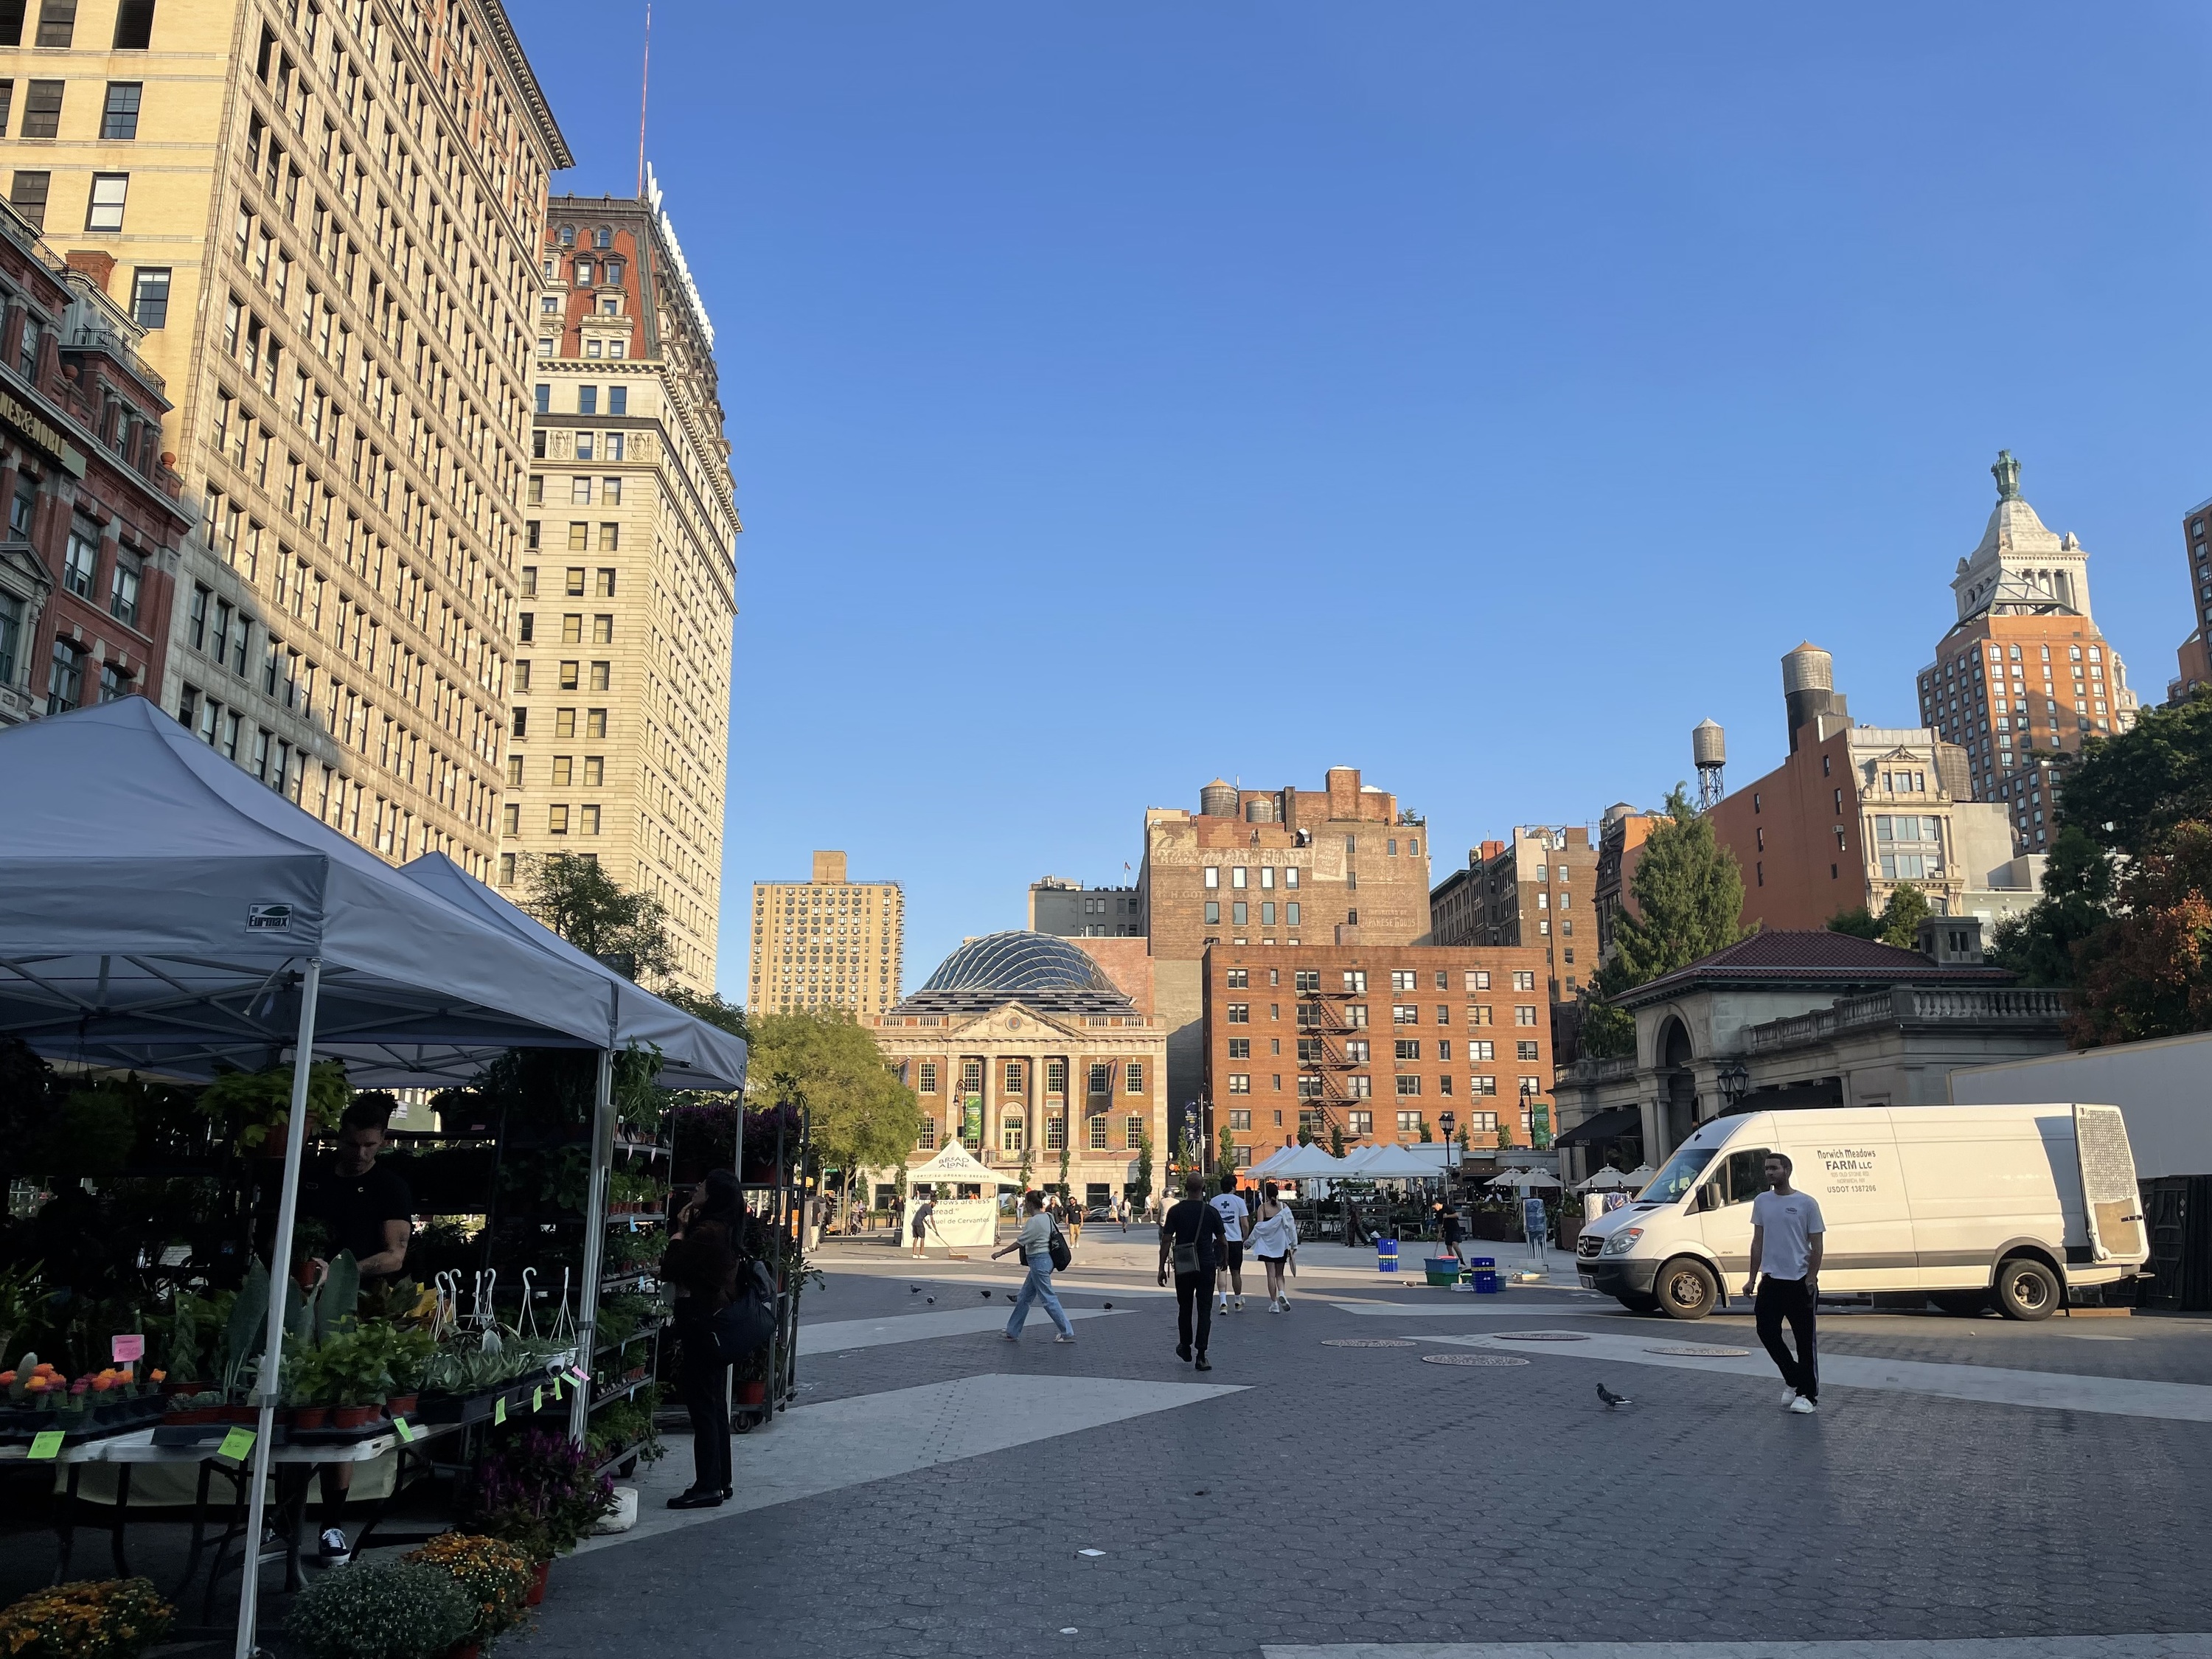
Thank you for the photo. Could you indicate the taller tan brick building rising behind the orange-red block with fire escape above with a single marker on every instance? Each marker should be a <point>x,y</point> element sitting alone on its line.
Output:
<point>1328,866</point>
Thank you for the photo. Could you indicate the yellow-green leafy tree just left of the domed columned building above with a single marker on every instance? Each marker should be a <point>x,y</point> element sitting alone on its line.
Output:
<point>864,1118</point>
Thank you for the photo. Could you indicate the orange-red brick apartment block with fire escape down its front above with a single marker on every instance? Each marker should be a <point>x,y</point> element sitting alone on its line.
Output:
<point>1379,1043</point>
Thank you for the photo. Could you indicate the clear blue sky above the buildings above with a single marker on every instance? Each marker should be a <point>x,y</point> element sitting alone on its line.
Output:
<point>1472,395</point>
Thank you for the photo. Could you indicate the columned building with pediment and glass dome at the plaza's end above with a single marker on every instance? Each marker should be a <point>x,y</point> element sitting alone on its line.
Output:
<point>1025,1050</point>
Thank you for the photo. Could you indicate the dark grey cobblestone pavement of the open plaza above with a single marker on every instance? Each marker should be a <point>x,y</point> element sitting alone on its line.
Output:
<point>1366,1496</point>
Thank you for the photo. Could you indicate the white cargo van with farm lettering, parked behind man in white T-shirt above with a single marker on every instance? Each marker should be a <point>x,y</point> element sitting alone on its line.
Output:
<point>1963,1204</point>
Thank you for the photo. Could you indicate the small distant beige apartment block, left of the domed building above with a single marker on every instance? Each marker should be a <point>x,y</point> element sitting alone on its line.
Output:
<point>826,943</point>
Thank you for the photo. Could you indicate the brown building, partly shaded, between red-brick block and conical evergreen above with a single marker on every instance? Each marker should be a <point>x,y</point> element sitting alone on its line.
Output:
<point>1527,890</point>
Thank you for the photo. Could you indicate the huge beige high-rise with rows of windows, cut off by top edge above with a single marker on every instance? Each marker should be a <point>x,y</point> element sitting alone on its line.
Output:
<point>326,222</point>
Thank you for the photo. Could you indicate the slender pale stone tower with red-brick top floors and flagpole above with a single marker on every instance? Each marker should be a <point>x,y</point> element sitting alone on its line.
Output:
<point>620,731</point>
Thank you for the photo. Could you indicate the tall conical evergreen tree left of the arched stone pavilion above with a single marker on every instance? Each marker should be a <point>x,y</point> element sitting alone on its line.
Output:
<point>1689,895</point>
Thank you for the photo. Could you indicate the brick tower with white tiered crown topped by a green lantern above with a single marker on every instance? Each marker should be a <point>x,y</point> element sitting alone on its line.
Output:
<point>2025,674</point>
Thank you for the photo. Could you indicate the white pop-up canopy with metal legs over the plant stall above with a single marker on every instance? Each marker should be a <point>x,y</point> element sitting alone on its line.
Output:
<point>171,915</point>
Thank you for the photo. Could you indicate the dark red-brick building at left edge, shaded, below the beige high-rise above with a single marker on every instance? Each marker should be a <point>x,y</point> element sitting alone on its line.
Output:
<point>94,521</point>
